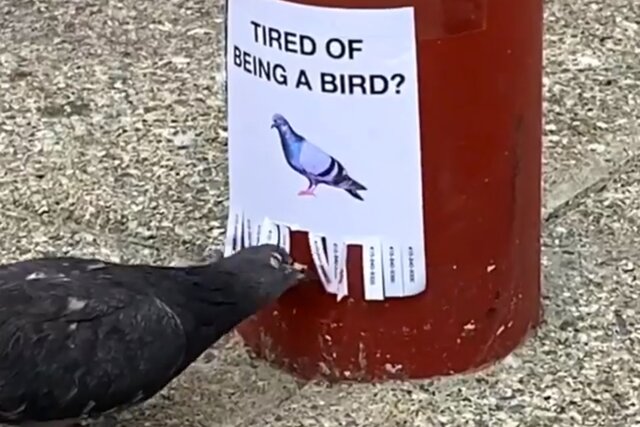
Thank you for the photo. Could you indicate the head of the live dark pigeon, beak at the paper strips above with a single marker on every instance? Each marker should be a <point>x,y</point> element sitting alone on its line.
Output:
<point>263,273</point>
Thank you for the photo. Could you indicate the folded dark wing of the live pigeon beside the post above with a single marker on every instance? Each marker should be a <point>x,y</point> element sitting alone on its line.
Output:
<point>75,344</point>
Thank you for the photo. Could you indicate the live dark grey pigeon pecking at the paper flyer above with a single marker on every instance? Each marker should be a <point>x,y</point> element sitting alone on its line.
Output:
<point>82,337</point>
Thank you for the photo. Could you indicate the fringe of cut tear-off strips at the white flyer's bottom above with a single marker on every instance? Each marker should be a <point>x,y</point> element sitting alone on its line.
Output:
<point>389,270</point>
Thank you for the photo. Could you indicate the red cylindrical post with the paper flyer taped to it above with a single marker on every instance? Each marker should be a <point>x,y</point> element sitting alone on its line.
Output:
<point>480,65</point>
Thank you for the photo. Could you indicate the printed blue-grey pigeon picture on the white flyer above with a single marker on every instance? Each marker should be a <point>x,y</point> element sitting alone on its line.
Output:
<point>312,162</point>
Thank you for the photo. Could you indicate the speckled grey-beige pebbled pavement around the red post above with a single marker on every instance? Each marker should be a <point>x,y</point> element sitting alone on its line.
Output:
<point>112,142</point>
